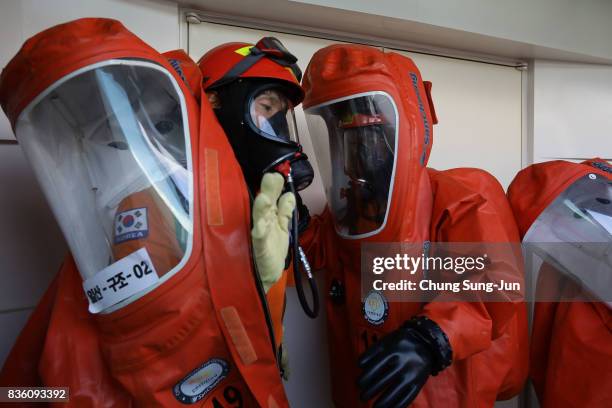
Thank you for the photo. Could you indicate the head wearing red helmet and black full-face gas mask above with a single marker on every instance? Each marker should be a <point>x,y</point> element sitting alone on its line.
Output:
<point>258,88</point>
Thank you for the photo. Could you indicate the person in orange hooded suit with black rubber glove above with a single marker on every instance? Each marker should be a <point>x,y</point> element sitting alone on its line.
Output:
<point>371,119</point>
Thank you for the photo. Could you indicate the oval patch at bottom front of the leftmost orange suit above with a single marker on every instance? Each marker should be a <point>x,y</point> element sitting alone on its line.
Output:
<point>201,381</point>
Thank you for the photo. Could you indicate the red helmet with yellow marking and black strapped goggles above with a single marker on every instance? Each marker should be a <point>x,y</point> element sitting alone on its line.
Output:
<point>266,59</point>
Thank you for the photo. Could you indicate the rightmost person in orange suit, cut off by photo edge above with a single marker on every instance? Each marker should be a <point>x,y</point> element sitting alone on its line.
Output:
<point>564,214</point>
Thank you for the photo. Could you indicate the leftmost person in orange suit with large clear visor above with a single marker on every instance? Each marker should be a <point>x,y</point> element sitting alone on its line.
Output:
<point>159,302</point>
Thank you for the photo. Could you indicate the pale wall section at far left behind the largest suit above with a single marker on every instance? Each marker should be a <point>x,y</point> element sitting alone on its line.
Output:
<point>31,245</point>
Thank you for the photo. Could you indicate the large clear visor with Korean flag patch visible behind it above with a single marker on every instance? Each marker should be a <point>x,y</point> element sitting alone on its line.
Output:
<point>109,145</point>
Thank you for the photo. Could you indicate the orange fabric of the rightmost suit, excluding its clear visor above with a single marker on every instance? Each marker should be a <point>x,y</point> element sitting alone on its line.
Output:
<point>571,343</point>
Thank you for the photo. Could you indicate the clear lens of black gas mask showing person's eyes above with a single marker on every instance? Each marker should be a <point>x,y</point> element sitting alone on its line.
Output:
<point>271,115</point>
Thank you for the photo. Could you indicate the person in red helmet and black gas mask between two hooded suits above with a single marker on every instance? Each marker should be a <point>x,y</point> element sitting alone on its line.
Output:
<point>254,89</point>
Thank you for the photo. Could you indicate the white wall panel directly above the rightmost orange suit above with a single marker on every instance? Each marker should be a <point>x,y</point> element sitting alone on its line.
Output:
<point>572,116</point>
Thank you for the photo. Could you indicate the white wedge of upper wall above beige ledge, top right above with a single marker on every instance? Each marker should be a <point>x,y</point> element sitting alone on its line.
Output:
<point>575,26</point>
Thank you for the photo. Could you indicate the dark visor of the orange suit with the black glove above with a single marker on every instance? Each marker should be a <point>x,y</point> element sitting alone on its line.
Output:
<point>355,140</point>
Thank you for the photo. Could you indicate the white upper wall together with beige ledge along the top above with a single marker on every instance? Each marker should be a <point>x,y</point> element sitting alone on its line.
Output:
<point>565,30</point>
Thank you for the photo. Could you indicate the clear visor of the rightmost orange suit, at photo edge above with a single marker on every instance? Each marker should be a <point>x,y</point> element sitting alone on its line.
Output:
<point>574,234</point>
